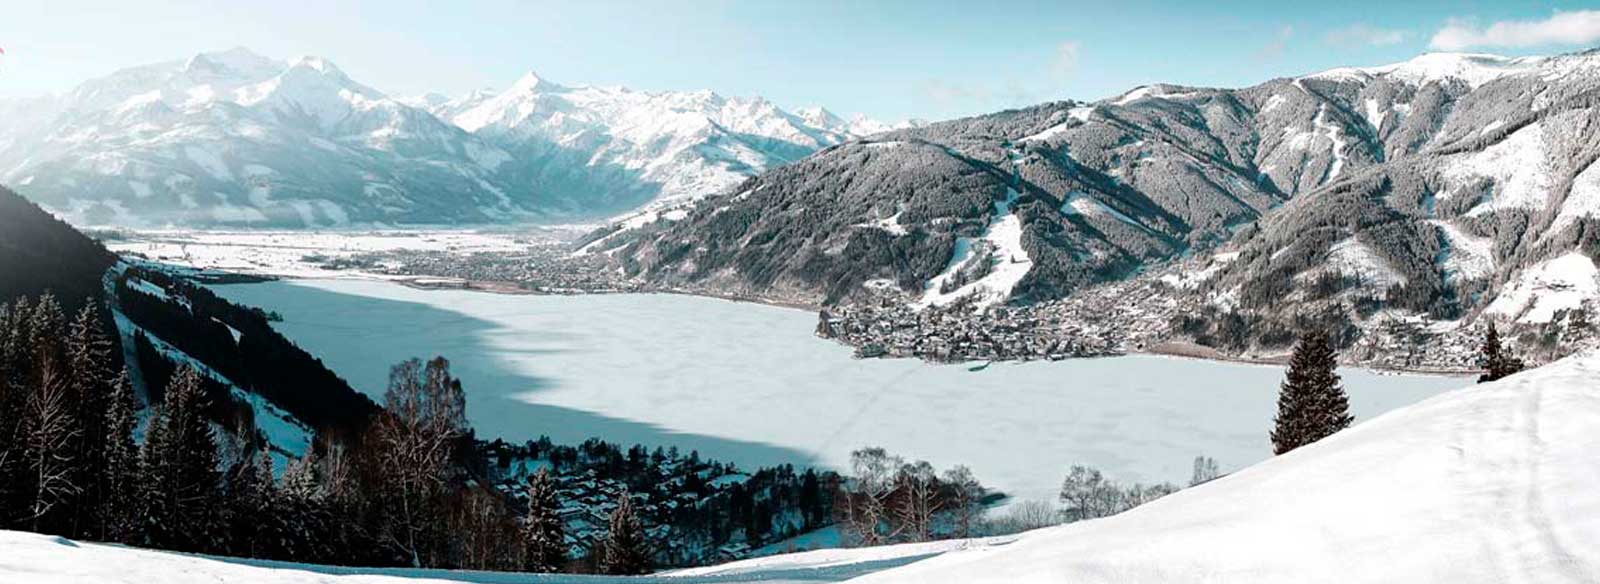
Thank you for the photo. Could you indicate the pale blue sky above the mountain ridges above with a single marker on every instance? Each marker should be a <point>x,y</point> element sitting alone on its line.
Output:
<point>889,60</point>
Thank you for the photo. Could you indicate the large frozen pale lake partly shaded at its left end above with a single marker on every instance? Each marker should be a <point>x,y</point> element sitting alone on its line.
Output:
<point>751,385</point>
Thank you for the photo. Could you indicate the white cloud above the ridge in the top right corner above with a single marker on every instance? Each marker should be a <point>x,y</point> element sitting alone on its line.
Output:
<point>1575,28</point>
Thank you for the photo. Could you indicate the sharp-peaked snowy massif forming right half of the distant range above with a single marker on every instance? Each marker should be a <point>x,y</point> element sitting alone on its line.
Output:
<point>622,148</point>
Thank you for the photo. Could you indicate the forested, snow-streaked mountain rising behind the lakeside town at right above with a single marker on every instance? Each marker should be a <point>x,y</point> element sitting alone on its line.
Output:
<point>1446,185</point>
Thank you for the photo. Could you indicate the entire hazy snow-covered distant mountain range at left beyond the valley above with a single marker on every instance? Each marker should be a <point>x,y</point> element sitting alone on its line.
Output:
<point>239,140</point>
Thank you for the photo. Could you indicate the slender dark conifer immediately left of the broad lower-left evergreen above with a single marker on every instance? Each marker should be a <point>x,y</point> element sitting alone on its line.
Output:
<point>121,471</point>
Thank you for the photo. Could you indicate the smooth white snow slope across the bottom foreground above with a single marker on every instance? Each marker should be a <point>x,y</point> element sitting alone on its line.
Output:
<point>1489,484</point>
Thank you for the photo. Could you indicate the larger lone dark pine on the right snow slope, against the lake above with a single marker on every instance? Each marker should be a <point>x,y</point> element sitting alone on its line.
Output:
<point>1311,402</point>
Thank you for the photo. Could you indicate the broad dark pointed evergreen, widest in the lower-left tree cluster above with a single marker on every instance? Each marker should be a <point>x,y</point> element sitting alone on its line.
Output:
<point>180,468</point>
